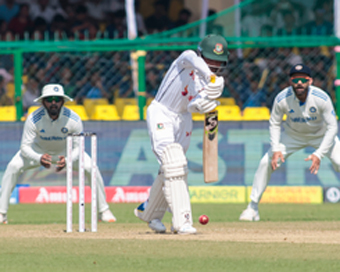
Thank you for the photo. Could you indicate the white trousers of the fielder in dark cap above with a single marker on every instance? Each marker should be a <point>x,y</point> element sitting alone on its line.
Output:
<point>288,146</point>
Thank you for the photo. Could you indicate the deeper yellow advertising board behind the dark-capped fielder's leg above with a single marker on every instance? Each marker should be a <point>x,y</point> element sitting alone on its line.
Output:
<point>291,194</point>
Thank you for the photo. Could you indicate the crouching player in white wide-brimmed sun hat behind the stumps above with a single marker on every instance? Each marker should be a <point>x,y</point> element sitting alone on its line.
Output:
<point>44,143</point>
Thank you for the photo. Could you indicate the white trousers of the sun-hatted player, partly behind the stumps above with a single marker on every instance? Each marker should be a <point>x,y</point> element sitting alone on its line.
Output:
<point>19,164</point>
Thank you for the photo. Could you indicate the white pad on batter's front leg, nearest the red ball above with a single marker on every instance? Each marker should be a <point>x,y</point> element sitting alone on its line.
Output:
<point>176,188</point>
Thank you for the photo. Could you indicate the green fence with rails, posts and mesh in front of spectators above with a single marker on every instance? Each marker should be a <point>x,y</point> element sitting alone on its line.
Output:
<point>106,67</point>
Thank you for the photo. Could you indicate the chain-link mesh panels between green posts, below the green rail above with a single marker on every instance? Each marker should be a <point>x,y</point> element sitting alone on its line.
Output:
<point>253,78</point>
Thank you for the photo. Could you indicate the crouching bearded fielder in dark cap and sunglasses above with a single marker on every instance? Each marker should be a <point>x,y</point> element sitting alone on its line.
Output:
<point>311,121</point>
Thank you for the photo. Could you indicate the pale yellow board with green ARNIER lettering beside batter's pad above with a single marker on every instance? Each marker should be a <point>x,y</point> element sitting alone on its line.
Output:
<point>217,194</point>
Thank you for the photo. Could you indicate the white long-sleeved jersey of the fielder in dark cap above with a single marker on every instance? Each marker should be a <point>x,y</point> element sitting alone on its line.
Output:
<point>315,118</point>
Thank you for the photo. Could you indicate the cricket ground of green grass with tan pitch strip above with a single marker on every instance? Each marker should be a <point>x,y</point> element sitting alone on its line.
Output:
<point>288,238</point>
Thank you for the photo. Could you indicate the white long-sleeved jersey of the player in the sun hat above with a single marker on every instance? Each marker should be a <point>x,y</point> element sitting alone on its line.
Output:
<point>43,135</point>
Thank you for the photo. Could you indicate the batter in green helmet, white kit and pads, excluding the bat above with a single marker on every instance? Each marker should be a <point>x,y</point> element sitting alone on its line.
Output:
<point>186,88</point>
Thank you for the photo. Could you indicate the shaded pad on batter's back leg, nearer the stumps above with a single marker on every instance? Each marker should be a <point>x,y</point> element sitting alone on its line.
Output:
<point>156,205</point>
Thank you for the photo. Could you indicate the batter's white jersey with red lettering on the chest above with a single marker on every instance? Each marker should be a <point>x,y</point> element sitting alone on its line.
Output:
<point>184,80</point>
